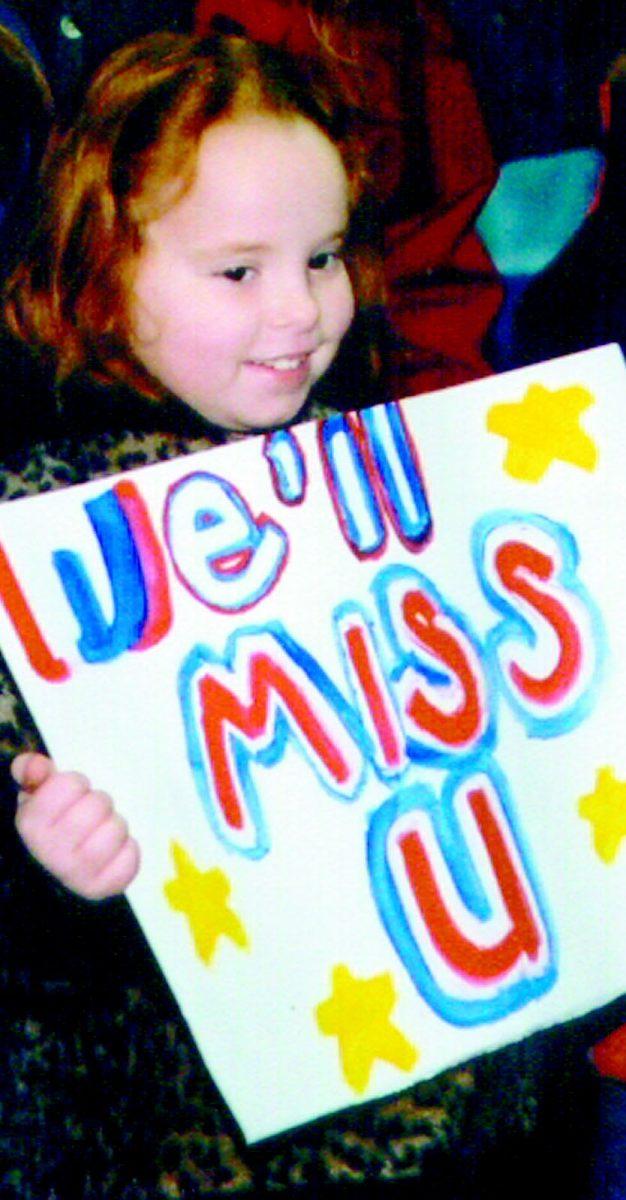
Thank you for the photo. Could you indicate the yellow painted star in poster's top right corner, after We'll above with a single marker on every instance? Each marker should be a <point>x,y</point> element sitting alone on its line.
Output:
<point>543,428</point>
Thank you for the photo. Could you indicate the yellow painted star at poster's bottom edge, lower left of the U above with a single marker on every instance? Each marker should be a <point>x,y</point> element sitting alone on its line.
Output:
<point>358,1015</point>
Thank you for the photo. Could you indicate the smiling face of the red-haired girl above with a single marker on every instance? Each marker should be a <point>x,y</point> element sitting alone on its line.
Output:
<point>242,295</point>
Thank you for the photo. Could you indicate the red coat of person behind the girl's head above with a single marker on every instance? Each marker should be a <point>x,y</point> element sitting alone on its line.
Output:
<point>434,170</point>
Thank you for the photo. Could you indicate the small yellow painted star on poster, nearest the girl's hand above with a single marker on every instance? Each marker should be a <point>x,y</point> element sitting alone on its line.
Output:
<point>202,897</point>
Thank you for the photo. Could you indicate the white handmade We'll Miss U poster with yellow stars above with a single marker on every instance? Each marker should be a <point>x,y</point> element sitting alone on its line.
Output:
<point>360,691</point>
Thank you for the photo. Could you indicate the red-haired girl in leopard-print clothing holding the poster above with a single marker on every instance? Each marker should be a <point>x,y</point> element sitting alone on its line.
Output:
<point>191,253</point>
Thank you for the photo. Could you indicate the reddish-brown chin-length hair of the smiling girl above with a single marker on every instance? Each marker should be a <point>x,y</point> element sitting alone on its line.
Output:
<point>131,155</point>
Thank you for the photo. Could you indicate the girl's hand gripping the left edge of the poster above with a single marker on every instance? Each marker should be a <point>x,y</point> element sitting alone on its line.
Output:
<point>74,831</point>
